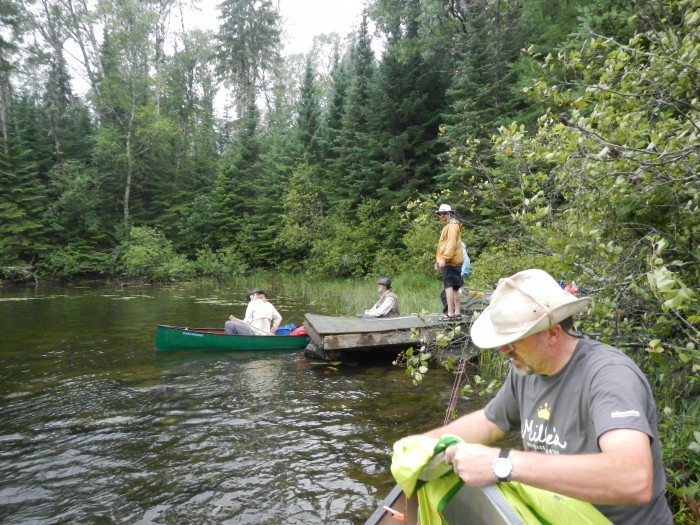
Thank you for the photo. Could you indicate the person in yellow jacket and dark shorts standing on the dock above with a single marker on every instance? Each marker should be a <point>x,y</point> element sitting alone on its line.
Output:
<point>448,260</point>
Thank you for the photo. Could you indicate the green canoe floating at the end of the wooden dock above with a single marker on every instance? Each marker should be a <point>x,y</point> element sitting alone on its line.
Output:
<point>180,338</point>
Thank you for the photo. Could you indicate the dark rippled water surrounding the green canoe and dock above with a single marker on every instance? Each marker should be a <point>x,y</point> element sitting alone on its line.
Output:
<point>97,427</point>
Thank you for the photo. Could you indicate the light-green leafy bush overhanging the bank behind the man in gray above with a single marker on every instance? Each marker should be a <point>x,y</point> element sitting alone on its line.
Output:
<point>607,194</point>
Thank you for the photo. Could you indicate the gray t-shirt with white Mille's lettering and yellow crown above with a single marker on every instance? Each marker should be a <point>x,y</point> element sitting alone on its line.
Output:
<point>599,389</point>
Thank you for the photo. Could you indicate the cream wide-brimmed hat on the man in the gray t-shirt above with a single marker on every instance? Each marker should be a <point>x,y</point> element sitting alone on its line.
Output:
<point>521,305</point>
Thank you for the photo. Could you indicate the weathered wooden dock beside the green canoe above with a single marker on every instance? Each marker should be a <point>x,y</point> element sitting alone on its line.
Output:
<point>333,338</point>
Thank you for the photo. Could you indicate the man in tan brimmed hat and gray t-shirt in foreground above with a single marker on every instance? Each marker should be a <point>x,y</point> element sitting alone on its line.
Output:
<point>584,410</point>
